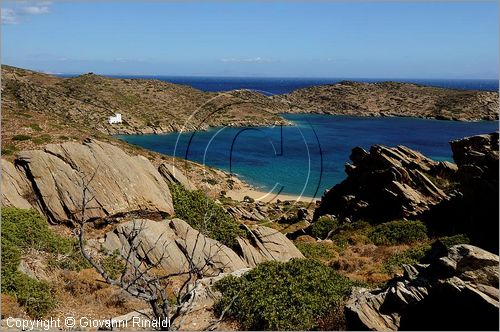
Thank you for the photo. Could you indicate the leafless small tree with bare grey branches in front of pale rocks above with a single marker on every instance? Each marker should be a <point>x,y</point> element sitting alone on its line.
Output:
<point>147,280</point>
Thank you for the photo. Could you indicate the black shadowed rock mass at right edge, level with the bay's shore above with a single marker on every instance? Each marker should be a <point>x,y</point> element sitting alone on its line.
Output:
<point>478,168</point>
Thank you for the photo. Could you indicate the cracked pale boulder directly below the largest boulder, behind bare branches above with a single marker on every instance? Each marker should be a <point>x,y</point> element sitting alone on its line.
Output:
<point>173,245</point>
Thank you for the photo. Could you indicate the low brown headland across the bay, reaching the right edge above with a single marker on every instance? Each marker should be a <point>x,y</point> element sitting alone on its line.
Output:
<point>393,99</point>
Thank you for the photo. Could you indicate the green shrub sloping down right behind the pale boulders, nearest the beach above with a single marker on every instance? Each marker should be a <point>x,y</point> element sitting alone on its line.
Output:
<point>203,214</point>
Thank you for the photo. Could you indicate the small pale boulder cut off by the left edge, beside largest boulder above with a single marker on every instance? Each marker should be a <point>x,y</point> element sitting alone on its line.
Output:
<point>15,189</point>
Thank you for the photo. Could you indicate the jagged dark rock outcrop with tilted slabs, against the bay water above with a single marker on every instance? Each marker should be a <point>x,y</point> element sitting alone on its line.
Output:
<point>385,184</point>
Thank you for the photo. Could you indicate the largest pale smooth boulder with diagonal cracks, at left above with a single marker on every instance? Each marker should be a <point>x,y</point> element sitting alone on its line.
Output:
<point>116,182</point>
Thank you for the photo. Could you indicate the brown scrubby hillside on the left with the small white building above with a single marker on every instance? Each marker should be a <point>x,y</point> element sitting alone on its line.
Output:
<point>147,106</point>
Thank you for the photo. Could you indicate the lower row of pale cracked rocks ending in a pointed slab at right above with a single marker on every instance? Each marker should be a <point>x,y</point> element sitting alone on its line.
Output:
<point>173,244</point>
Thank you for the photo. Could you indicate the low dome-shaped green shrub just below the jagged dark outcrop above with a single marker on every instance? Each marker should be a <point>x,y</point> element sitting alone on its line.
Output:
<point>398,232</point>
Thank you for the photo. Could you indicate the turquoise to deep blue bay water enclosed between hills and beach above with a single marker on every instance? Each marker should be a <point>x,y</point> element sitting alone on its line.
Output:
<point>309,157</point>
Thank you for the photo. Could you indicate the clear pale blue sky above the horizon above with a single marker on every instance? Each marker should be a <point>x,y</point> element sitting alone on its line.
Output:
<point>321,39</point>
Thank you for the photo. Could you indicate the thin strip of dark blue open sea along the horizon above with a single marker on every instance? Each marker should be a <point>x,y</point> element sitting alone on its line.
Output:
<point>272,86</point>
